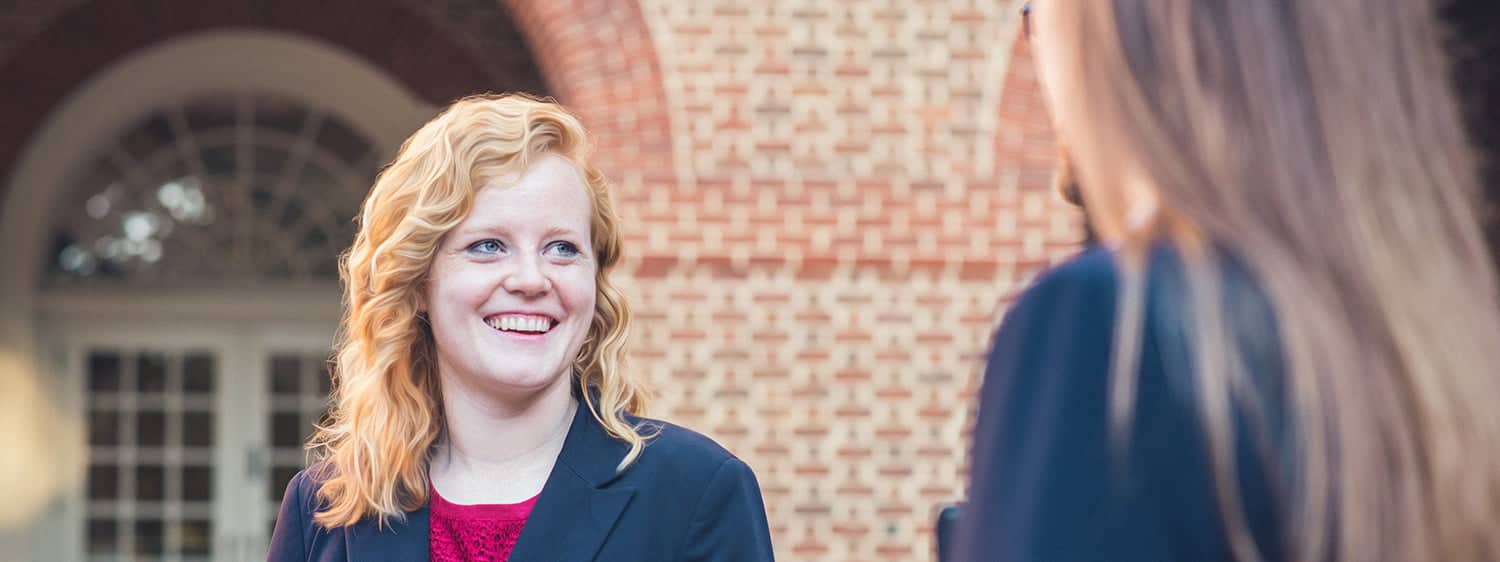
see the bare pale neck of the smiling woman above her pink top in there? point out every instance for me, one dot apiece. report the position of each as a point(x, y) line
point(500, 452)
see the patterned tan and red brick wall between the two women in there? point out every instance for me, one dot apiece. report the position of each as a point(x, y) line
point(857, 190)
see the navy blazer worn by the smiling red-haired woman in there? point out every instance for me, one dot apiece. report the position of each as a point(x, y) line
point(683, 500)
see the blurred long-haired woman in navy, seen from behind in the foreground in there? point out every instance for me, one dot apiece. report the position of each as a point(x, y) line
point(1285, 353)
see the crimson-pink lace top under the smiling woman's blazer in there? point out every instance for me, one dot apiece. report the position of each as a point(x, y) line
point(484, 533)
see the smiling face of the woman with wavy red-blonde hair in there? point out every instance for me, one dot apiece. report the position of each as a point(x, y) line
point(511, 293)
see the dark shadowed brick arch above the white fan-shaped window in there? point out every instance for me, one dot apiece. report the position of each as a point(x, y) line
point(436, 64)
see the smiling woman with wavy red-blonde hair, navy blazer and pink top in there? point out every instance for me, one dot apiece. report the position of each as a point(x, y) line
point(481, 402)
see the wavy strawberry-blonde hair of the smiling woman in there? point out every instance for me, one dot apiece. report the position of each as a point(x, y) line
point(388, 410)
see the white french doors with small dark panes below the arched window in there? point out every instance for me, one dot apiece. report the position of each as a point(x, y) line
point(194, 431)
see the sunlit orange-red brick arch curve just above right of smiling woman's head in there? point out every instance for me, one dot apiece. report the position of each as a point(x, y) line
point(599, 59)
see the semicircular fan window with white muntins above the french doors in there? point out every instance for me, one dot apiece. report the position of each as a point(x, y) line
point(221, 188)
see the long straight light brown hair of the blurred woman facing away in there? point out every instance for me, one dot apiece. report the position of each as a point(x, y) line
point(1318, 143)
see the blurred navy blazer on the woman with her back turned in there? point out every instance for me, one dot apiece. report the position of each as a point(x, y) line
point(1048, 480)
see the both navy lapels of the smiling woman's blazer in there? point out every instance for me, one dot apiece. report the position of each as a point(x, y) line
point(569, 524)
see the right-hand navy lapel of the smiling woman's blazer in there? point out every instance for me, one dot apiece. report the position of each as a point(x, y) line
point(578, 507)
